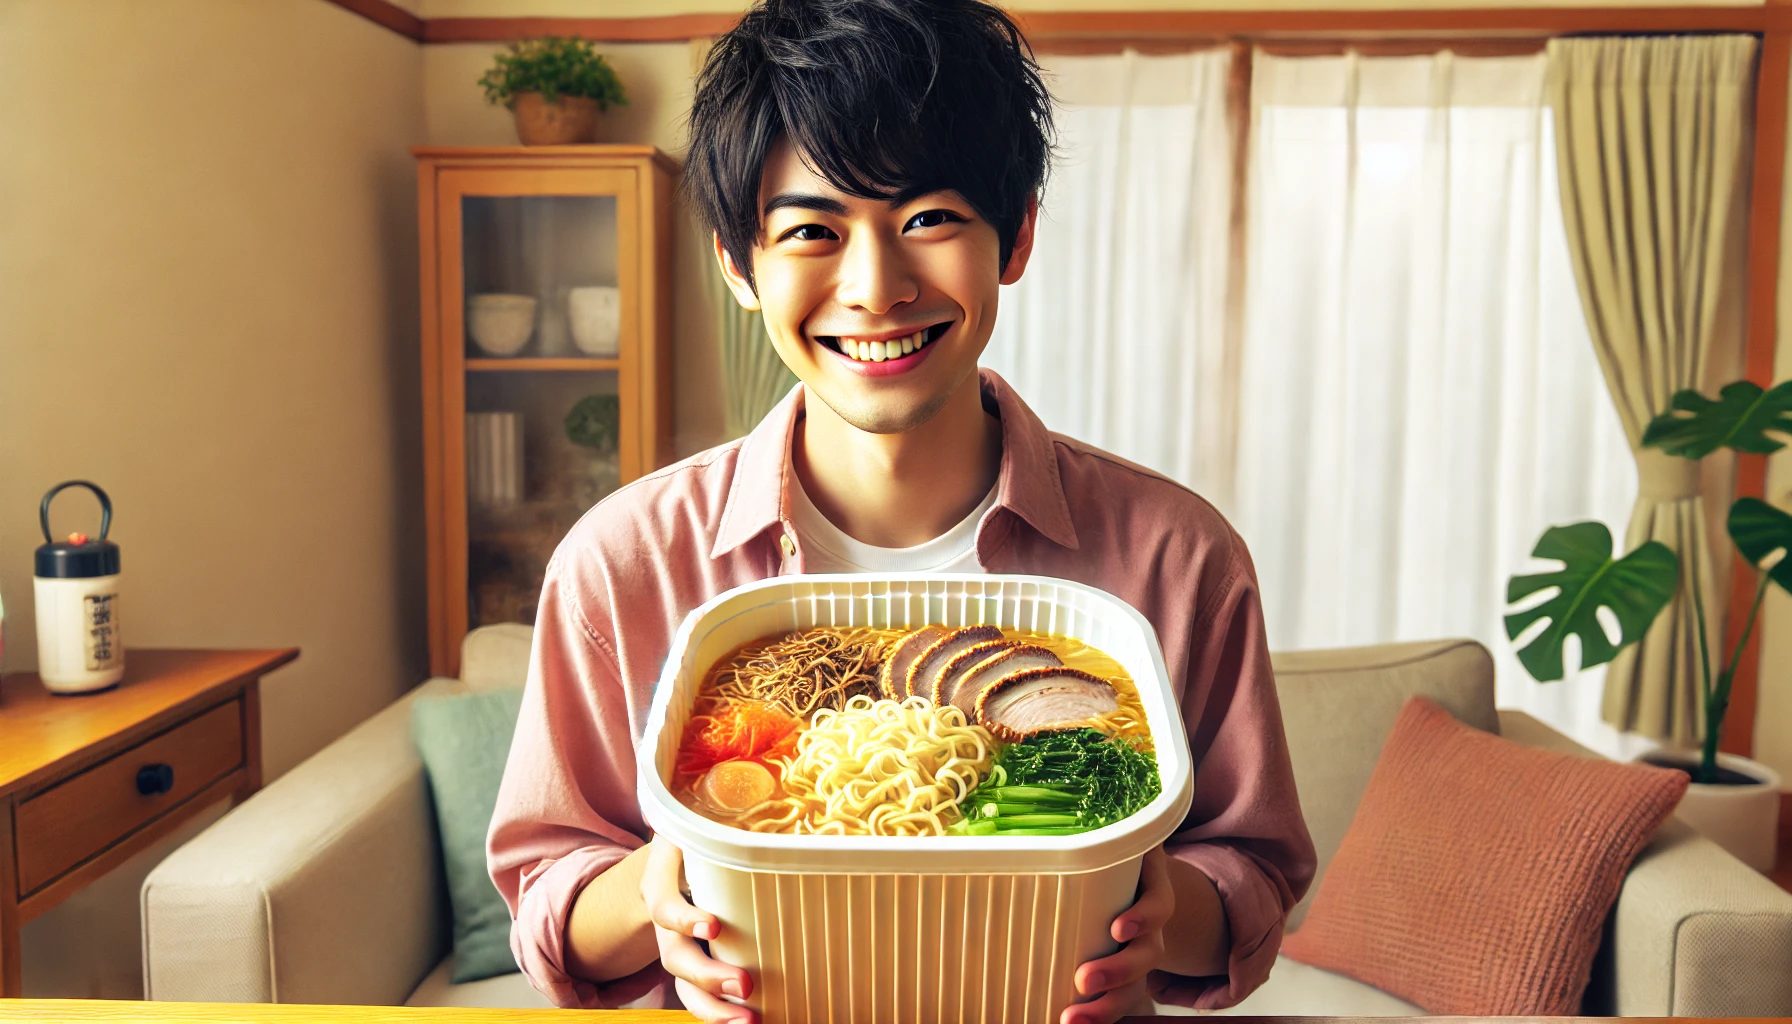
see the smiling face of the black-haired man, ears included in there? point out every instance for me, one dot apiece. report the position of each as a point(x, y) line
point(879, 309)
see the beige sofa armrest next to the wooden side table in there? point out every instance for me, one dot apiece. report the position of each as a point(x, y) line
point(325, 887)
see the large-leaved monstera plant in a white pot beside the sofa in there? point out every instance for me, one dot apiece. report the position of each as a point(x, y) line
point(1732, 799)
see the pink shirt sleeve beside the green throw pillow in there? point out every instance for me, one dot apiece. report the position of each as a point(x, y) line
point(569, 783)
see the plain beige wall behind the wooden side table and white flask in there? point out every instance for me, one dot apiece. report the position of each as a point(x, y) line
point(209, 306)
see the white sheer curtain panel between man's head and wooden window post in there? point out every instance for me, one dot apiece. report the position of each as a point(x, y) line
point(1117, 331)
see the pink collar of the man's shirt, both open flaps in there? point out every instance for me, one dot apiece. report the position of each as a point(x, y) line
point(1028, 483)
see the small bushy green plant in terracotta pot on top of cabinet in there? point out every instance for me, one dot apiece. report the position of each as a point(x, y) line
point(555, 87)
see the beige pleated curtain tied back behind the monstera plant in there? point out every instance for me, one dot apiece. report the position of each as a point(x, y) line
point(1653, 148)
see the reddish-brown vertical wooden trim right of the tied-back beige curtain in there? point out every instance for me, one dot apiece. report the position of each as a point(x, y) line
point(1762, 342)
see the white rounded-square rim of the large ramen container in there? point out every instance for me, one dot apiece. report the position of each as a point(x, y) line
point(951, 855)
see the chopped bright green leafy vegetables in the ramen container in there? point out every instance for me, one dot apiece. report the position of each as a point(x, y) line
point(1058, 785)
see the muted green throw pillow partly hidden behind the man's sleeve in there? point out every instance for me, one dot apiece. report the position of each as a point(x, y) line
point(465, 742)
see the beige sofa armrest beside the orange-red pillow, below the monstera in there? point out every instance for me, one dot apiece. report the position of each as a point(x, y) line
point(1696, 932)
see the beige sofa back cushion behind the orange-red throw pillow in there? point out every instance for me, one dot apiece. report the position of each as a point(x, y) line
point(1338, 709)
